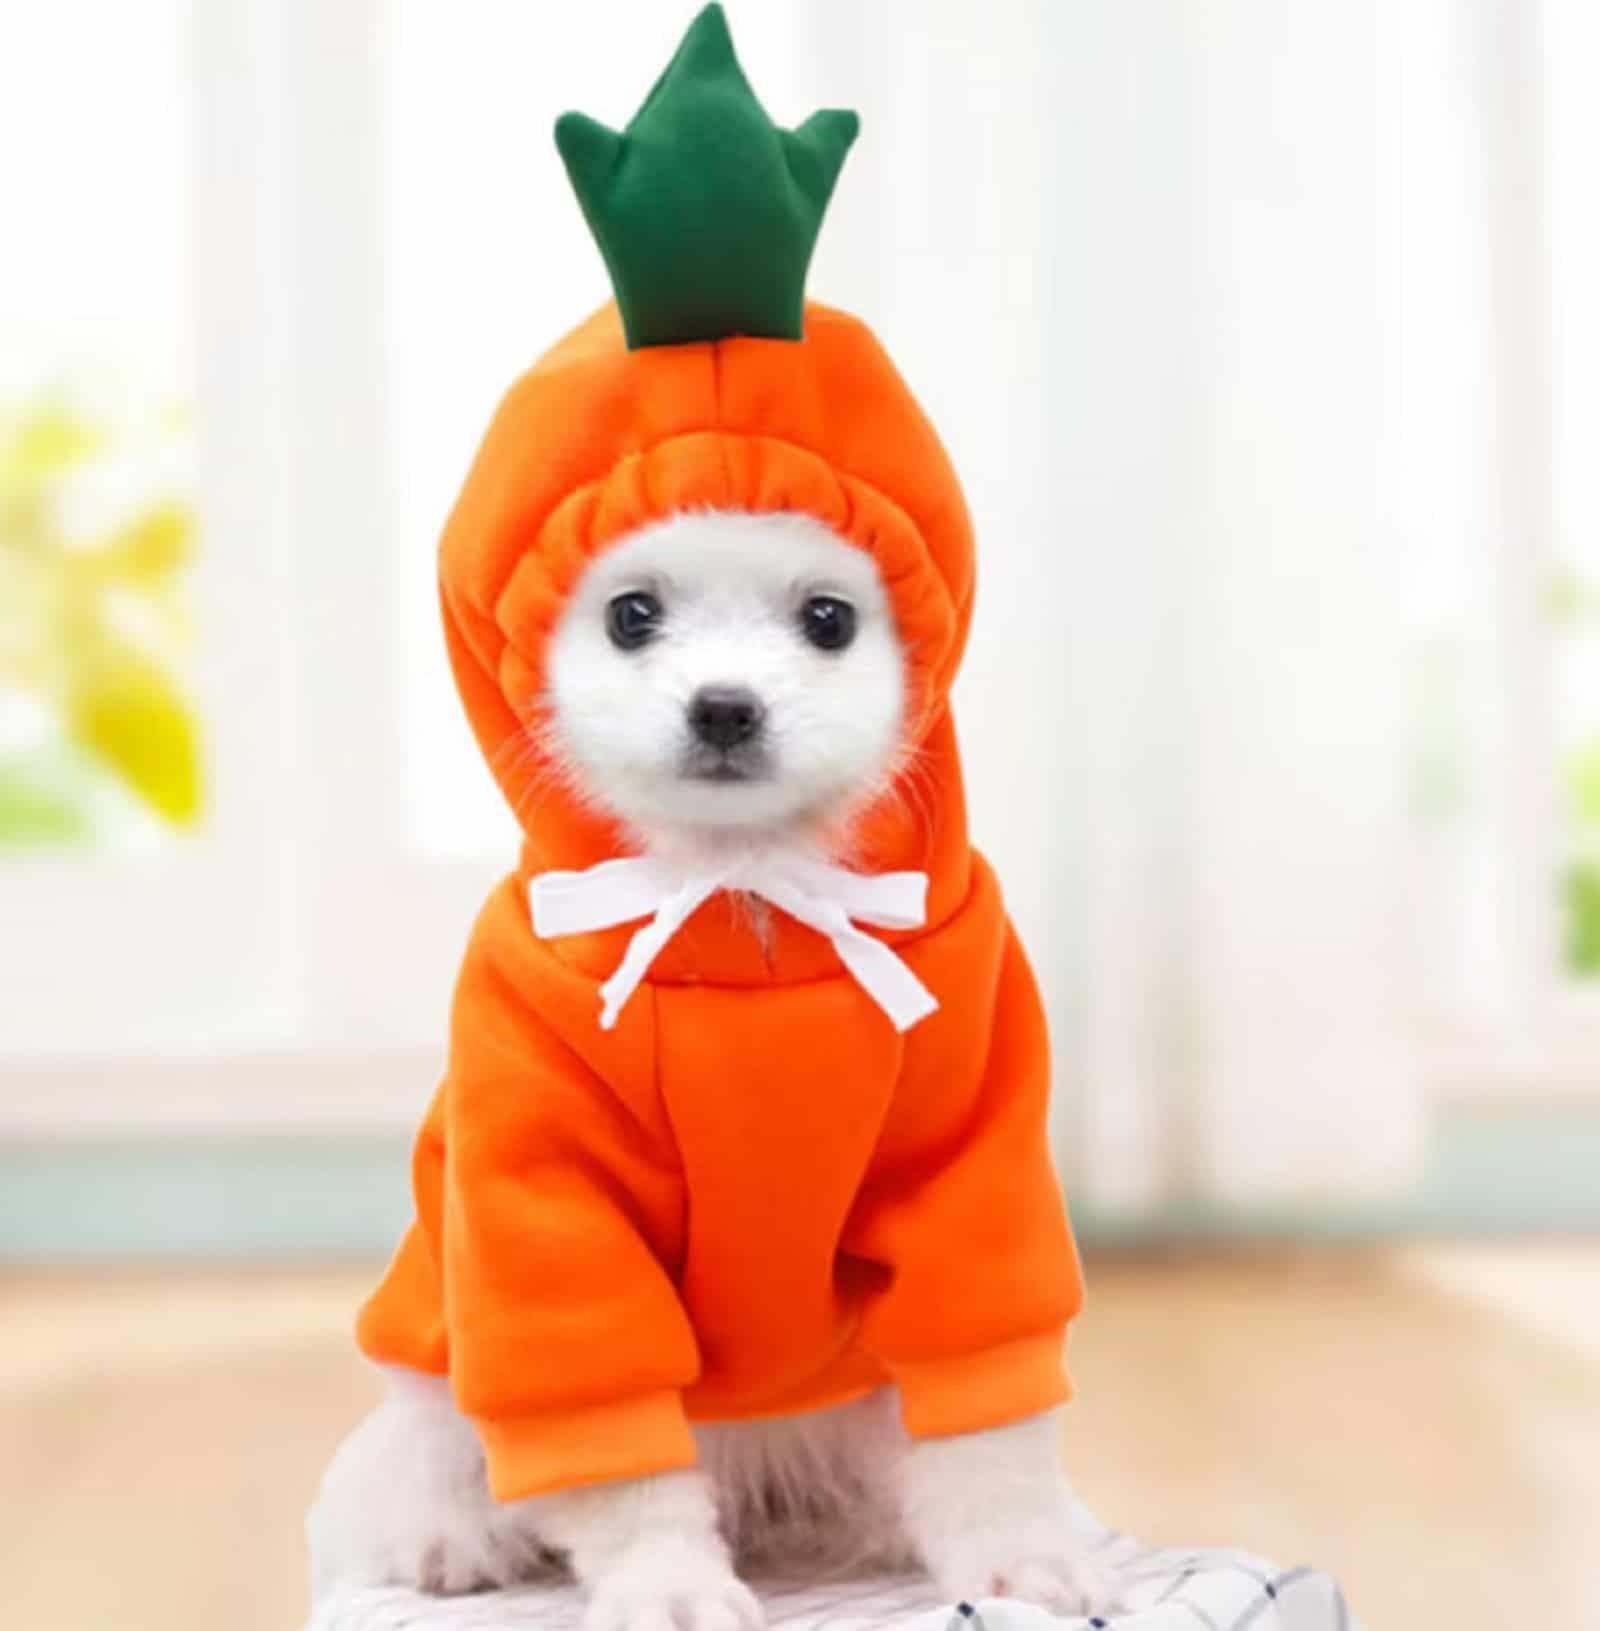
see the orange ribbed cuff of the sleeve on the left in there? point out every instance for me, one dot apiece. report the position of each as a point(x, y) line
point(534, 1456)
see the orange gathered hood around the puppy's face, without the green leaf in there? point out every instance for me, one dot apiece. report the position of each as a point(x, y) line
point(598, 441)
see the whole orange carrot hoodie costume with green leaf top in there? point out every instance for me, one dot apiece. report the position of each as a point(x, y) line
point(756, 1195)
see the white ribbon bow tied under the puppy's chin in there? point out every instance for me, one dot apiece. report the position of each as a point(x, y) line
point(824, 898)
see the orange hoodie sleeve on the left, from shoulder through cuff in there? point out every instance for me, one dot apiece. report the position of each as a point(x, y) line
point(568, 1343)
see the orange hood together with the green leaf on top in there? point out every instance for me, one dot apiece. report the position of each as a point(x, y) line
point(624, 423)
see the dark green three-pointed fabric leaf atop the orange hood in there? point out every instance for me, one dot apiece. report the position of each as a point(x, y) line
point(705, 211)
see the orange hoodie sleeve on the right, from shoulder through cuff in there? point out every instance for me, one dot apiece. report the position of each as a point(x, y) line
point(970, 1224)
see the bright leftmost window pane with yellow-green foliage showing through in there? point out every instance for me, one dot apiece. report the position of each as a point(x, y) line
point(100, 740)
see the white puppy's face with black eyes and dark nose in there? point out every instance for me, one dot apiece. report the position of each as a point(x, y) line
point(727, 674)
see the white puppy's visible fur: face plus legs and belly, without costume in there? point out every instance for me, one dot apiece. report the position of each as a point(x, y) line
point(718, 681)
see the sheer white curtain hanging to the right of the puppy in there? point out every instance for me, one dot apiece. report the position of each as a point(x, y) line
point(1139, 262)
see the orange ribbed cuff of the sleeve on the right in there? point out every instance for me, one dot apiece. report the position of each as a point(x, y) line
point(1007, 1384)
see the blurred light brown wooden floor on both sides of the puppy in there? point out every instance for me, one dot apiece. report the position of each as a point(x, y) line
point(1423, 1423)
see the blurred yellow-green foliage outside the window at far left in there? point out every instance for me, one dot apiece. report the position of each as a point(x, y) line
point(94, 629)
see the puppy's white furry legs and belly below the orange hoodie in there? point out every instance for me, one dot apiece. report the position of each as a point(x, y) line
point(407, 1503)
